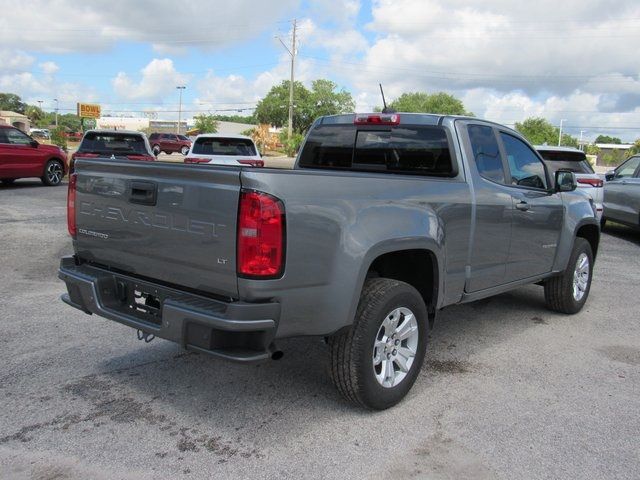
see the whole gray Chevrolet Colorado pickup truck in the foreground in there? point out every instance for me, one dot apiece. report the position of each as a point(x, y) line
point(385, 219)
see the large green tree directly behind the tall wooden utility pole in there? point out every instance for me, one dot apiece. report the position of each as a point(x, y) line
point(324, 98)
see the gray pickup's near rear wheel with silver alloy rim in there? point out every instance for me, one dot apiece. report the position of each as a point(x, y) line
point(376, 362)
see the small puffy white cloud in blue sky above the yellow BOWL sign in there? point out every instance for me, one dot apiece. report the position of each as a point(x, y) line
point(158, 79)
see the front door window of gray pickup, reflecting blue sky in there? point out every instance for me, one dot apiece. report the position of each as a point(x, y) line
point(527, 170)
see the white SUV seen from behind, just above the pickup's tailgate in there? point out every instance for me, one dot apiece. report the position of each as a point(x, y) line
point(218, 149)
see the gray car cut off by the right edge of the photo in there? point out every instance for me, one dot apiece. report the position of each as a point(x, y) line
point(622, 194)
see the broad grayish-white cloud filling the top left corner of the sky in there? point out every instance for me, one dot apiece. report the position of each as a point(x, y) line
point(62, 26)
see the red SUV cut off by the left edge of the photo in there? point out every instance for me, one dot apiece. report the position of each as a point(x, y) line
point(23, 157)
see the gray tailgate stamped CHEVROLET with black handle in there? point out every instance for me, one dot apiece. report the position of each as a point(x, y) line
point(160, 221)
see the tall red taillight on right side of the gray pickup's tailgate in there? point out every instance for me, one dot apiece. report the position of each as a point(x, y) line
point(261, 235)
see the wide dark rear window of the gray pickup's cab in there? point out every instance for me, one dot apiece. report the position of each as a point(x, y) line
point(417, 150)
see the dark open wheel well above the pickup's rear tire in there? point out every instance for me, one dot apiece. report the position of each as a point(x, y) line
point(418, 268)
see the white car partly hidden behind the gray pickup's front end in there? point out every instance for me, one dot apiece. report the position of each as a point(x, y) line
point(567, 158)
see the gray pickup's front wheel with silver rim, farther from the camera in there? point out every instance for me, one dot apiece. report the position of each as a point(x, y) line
point(568, 292)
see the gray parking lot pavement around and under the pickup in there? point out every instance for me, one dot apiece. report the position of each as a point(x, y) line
point(509, 390)
